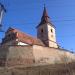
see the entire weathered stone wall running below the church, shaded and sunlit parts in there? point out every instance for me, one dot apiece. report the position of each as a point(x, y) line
point(28, 55)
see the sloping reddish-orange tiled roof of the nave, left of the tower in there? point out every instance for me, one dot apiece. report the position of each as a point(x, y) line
point(25, 38)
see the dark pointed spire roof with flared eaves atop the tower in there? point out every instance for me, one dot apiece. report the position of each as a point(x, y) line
point(45, 18)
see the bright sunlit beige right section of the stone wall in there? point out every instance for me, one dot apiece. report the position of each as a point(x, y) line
point(52, 55)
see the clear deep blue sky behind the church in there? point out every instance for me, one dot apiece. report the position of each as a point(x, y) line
point(25, 15)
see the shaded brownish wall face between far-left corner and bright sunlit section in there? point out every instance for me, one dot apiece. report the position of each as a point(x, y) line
point(20, 55)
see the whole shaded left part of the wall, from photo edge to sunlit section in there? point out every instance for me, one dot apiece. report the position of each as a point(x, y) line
point(16, 55)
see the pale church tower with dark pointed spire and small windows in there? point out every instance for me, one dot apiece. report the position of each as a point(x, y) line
point(46, 31)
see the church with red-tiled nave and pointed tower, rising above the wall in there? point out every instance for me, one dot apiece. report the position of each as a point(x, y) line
point(46, 35)
